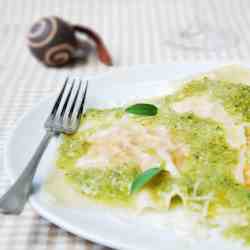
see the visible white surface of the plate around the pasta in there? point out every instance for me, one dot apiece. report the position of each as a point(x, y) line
point(96, 223)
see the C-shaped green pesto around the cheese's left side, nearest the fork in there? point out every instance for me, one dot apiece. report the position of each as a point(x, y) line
point(109, 185)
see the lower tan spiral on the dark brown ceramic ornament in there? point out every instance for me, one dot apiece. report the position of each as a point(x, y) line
point(59, 54)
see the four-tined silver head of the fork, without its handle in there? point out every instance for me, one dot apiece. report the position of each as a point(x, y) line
point(68, 108)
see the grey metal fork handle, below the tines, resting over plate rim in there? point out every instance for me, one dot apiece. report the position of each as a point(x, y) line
point(14, 200)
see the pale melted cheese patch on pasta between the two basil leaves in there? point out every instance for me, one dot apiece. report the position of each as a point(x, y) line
point(126, 141)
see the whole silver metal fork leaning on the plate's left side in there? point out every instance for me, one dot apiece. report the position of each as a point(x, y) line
point(64, 118)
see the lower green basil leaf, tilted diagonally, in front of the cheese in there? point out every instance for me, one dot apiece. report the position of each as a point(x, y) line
point(144, 178)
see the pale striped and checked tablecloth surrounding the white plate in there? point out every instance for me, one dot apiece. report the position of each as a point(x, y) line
point(136, 32)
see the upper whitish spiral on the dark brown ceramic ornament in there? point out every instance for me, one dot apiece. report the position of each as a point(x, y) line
point(42, 32)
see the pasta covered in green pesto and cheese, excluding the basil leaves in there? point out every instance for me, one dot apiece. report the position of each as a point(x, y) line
point(200, 136)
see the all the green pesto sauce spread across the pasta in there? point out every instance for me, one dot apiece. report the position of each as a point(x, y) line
point(211, 159)
